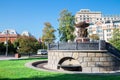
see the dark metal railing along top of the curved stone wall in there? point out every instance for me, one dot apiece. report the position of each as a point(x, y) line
point(100, 45)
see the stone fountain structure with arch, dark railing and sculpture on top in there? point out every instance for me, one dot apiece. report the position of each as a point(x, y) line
point(83, 56)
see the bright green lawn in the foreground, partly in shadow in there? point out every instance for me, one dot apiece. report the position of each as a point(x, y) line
point(16, 70)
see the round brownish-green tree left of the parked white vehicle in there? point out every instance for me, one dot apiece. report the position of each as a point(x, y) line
point(26, 44)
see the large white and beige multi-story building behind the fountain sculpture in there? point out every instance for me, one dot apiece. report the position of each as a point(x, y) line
point(101, 25)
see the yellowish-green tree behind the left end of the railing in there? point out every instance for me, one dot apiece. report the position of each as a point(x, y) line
point(48, 33)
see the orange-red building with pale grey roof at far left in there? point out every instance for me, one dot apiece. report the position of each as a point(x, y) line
point(8, 34)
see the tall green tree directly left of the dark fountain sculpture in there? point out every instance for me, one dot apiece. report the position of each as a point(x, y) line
point(66, 26)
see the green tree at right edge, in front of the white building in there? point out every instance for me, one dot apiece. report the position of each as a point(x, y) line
point(115, 40)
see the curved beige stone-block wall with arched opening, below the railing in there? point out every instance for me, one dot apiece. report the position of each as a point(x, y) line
point(90, 61)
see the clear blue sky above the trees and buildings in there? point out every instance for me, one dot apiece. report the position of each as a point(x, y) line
point(30, 15)
